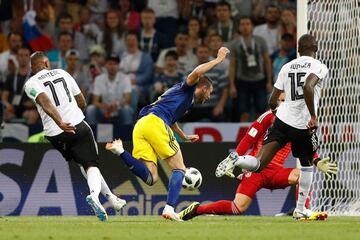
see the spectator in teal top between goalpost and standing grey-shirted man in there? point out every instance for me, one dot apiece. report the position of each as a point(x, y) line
point(285, 54)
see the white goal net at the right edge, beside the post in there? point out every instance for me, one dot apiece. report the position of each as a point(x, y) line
point(336, 26)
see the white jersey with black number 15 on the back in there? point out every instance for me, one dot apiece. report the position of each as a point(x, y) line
point(291, 80)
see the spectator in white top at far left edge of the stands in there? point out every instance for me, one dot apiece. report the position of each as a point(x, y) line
point(8, 60)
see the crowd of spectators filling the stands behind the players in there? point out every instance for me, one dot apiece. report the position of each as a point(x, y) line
point(124, 54)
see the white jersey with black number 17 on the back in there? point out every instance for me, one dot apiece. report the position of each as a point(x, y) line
point(60, 87)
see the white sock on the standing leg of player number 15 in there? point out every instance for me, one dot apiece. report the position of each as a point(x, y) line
point(305, 181)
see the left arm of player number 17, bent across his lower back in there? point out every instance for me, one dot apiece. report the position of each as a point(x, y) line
point(50, 110)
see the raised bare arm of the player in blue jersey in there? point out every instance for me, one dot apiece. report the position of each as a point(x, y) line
point(193, 77)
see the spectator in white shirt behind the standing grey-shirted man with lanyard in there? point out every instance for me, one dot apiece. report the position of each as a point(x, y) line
point(271, 30)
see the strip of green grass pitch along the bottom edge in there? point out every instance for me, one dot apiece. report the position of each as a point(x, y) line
point(152, 227)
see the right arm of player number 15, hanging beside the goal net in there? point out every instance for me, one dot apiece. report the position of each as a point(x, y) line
point(310, 83)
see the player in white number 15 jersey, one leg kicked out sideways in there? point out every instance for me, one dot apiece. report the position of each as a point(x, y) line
point(296, 120)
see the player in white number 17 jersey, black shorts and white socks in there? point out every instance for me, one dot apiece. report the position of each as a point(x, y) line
point(60, 104)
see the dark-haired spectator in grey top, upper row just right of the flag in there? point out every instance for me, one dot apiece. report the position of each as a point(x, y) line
point(65, 24)
